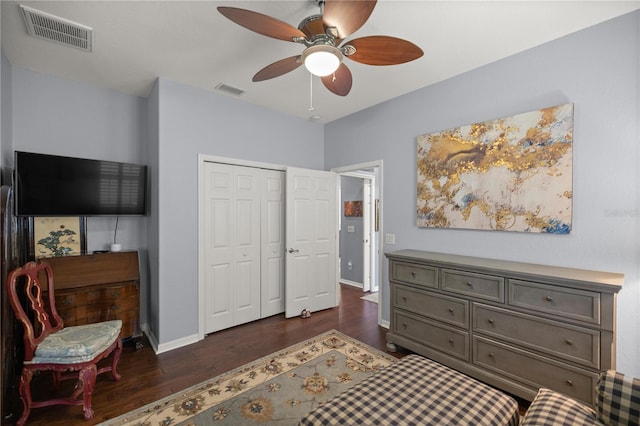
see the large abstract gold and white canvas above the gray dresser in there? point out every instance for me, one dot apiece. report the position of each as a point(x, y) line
point(509, 174)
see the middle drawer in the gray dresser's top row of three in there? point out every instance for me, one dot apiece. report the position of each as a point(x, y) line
point(475, 285)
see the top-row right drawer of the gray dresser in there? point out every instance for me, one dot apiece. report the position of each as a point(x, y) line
point(561, 301)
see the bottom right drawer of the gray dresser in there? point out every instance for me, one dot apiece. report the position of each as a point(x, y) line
point(534, 370)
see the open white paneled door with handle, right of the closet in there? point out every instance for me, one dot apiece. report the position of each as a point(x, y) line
point(311, 241)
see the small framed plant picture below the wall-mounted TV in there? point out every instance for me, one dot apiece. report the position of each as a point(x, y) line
point(58, 236)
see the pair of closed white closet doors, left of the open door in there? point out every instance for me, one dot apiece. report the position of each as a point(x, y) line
point(243, 250)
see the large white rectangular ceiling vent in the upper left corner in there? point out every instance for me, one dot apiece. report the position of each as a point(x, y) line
point(43, 25)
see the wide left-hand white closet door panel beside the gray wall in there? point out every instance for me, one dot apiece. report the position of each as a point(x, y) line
point(232, 245)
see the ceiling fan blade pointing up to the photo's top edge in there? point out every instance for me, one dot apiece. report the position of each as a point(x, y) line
point(347, 15)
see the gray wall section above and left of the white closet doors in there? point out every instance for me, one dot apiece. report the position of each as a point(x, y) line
point(192, 122)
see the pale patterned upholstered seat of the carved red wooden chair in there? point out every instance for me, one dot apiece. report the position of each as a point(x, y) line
point(77, 344)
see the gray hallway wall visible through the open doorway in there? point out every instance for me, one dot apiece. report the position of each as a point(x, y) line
point(351, 242)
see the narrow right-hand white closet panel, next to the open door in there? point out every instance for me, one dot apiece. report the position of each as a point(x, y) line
point(272, 242)
